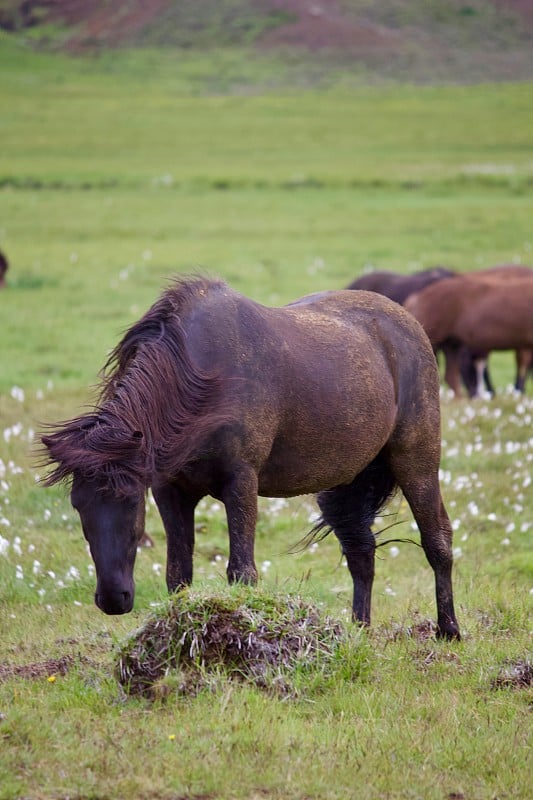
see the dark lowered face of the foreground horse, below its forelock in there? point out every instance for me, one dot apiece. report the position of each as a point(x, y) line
point(113, 526)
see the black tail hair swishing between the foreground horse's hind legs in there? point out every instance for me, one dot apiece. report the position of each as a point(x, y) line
point(350, 510)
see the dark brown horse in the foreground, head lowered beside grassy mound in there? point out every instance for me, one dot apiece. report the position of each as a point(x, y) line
point(213, 394)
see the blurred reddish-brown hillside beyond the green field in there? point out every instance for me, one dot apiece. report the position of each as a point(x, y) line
point(422, 41)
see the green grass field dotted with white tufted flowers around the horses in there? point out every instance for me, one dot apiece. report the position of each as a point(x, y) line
point(117, 173)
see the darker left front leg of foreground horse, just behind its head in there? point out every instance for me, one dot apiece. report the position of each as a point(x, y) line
point(177, 512)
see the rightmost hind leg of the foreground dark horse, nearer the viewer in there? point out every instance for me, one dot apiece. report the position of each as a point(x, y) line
point(422, 492)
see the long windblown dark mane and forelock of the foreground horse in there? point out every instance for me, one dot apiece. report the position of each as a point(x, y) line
point(154, 409)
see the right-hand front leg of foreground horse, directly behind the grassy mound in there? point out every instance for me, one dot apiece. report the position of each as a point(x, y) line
point(239, 496)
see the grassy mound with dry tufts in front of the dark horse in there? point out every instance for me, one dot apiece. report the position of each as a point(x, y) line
point(281, 644)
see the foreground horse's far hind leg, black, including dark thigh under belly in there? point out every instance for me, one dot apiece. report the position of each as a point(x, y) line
point(350, 511)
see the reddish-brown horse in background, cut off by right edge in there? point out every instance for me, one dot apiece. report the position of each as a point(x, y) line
point(484, 311)
